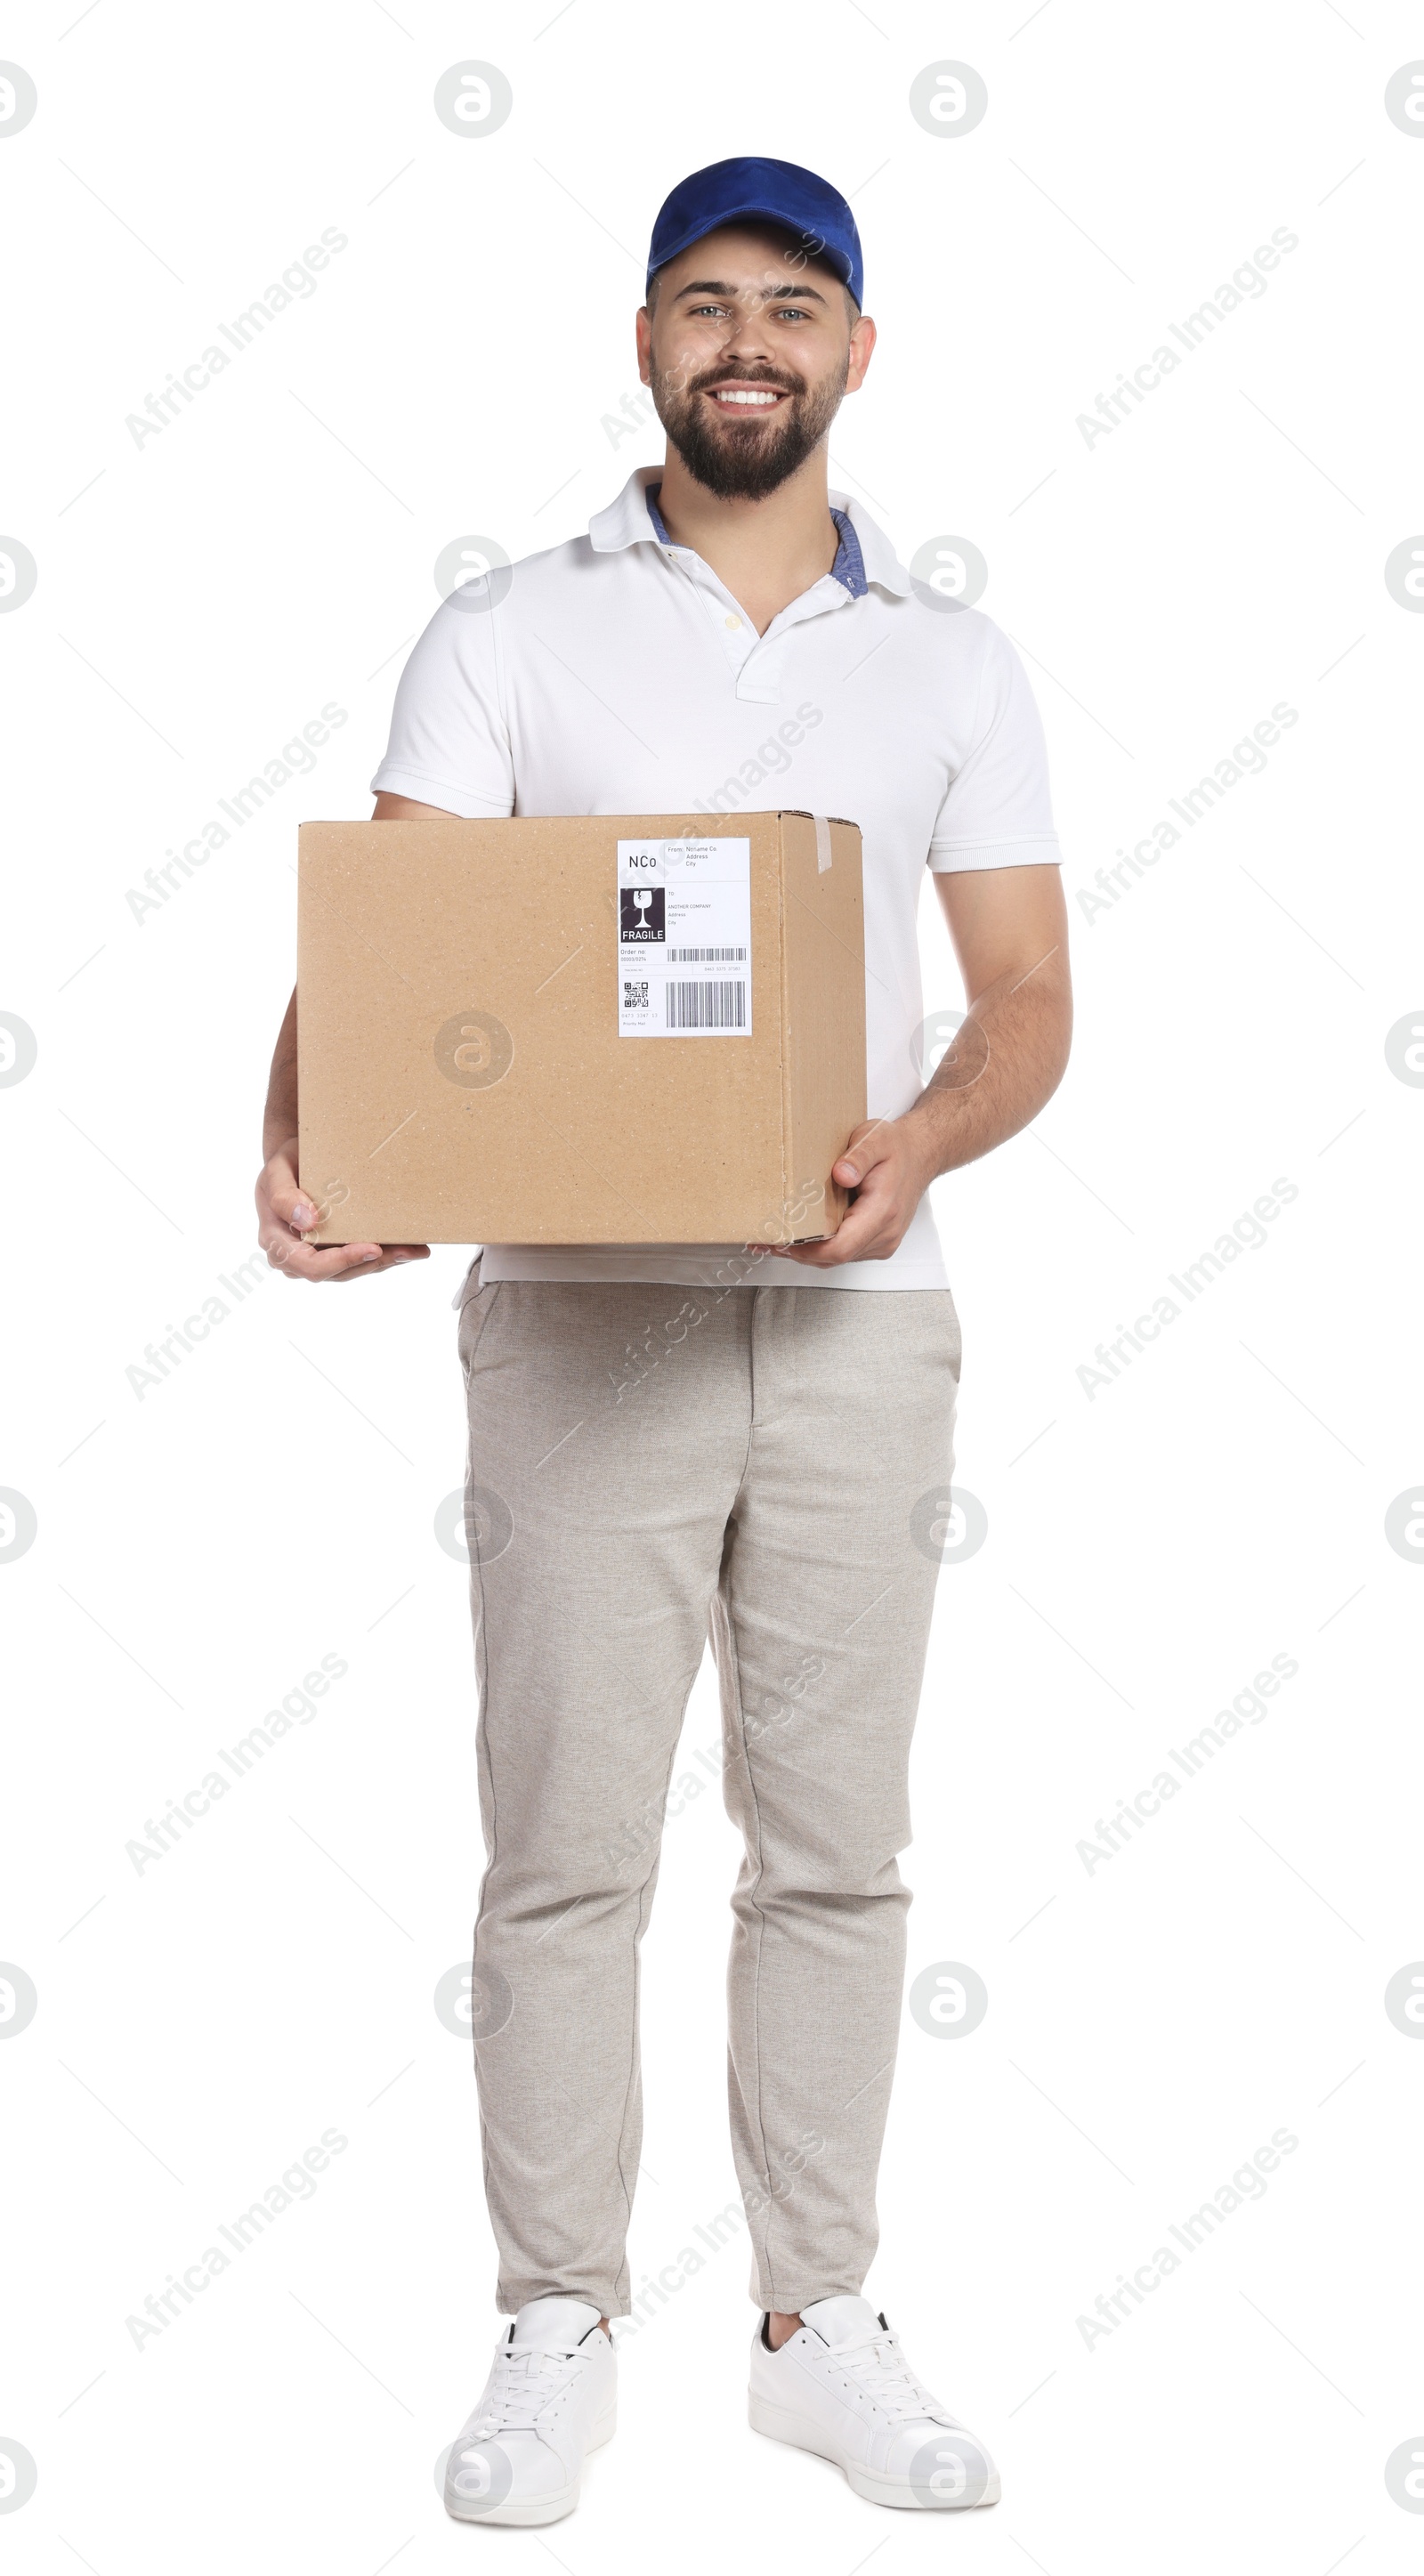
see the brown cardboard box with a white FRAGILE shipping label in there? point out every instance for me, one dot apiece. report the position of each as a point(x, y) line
point(581, 1029)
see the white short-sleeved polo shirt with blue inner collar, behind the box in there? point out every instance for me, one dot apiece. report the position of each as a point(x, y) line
point(619, 676)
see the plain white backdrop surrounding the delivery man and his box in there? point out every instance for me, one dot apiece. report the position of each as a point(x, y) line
point(272, 1501)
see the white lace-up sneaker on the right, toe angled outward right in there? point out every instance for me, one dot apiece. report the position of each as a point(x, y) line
point(846, 2389)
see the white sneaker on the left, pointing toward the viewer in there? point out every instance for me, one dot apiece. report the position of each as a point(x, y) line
point(552, 2397)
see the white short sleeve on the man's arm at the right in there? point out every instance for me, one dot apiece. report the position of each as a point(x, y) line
point(998, 810)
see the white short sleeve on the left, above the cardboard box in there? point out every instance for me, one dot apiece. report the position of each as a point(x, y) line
point(449, 738)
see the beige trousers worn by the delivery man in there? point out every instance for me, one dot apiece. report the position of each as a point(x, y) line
point(645, 1462)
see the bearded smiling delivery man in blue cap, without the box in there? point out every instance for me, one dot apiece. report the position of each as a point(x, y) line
point(722, 1434)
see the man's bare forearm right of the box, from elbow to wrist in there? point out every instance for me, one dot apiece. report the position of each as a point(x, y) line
point(1006, 1063)
